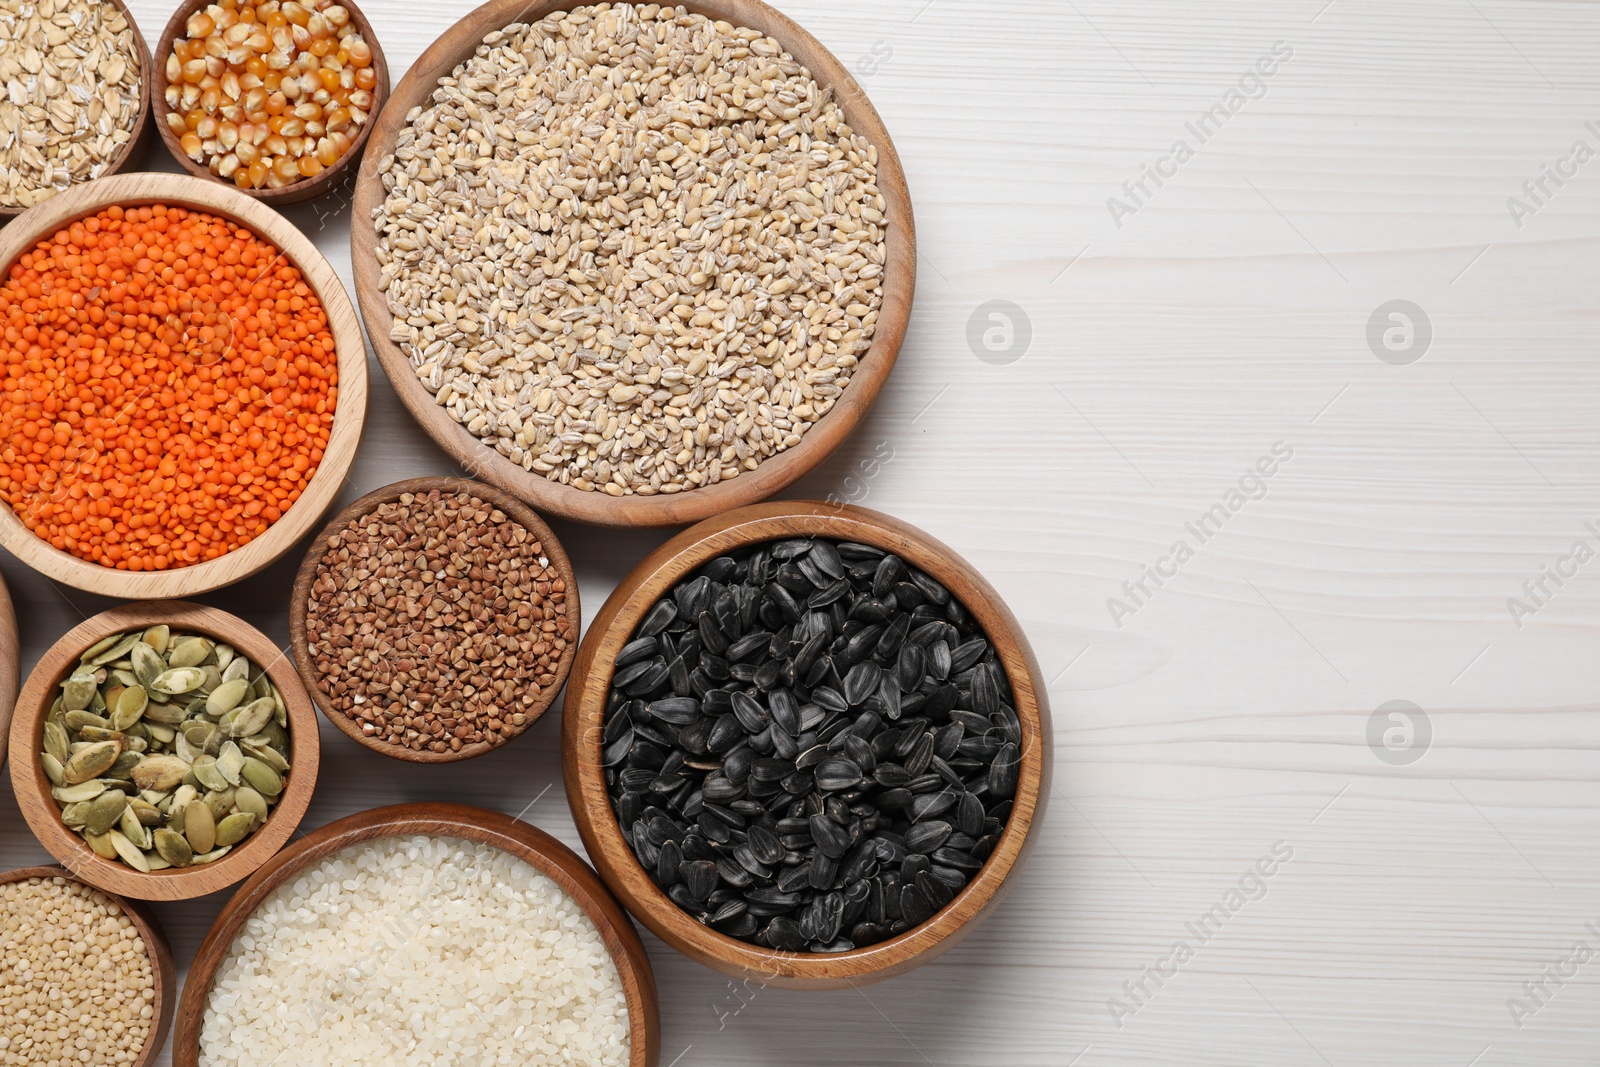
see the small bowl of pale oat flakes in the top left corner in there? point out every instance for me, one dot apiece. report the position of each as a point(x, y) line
point(74, 97)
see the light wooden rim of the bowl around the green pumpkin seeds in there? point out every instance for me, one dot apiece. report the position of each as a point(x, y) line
point(44, 815)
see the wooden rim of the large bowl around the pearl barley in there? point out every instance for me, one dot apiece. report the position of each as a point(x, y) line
point(775, 474)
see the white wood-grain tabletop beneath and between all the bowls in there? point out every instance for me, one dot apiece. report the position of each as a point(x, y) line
point(1426, 865)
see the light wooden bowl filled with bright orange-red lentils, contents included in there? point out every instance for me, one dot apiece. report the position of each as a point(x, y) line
point(183, 386)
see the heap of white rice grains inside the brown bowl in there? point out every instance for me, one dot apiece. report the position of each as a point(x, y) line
point(417, 951)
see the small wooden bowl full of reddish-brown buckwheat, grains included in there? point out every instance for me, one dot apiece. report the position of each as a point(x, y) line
point(434, 620)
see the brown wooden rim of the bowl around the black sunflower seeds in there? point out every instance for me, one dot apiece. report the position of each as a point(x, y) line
point(591, 805)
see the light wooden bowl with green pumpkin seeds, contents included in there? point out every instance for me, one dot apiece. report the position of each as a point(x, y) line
point(164, 751)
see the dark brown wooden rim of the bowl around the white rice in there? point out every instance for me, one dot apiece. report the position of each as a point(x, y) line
point(436, 820)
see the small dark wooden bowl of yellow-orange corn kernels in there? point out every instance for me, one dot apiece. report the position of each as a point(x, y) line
point(273, 97)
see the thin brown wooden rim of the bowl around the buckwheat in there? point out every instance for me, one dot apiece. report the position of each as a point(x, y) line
point(300, 607)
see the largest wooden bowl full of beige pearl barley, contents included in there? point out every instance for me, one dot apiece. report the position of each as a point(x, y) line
point(636, 265)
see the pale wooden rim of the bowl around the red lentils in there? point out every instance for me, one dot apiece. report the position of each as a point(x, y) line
point(343, 439)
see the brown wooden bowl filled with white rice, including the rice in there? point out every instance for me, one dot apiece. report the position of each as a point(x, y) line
point(414, 937)
